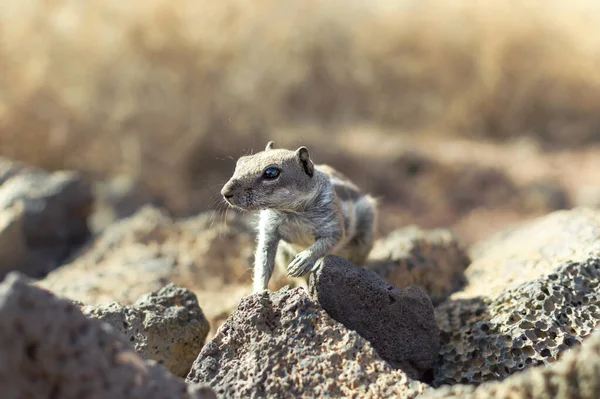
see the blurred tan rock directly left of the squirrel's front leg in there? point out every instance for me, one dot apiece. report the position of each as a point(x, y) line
point(207, 254)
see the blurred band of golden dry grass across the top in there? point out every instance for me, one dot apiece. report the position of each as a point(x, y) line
point(162, 88)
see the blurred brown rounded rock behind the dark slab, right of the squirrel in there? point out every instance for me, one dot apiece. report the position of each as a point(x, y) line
point(432, 260)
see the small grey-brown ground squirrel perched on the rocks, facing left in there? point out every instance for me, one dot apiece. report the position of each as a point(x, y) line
point(307, 211)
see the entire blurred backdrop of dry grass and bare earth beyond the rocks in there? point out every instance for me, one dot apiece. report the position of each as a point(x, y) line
point(465, 114)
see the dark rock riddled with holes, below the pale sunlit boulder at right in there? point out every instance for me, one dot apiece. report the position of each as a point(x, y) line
point(527, 325)
